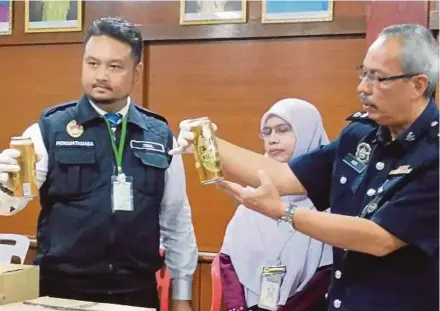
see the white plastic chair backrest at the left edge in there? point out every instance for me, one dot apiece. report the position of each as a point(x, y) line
point(13, 245)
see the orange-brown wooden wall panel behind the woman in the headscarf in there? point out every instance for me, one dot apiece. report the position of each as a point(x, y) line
point(234, 82)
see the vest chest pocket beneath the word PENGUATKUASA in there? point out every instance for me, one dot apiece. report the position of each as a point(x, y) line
point(76, 171)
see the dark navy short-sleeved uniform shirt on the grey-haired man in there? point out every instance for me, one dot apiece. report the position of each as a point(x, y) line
point(395, 184)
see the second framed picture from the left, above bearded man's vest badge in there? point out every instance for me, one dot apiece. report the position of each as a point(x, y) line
point(53, 15)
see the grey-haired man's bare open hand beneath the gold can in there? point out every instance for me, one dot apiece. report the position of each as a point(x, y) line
point(265, 199)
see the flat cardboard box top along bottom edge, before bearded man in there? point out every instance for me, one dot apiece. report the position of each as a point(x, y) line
point(50, 303)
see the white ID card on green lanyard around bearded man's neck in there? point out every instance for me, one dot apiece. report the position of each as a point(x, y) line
point(122, 186)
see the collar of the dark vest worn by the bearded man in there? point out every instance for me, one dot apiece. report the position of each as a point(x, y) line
point(88, 111)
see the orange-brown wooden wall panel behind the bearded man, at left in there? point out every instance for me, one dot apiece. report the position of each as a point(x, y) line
point(35, 77)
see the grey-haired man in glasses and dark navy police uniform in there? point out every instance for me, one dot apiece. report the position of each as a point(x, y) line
point(380, 177)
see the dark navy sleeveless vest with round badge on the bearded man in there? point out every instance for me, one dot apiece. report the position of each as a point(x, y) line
point(80, 239)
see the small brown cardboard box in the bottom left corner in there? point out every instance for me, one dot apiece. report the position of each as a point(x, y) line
point(18, 283)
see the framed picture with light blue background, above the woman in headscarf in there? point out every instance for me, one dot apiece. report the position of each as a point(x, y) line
point(296, 11)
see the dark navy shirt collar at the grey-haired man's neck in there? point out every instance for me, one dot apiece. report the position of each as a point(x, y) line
point(415, 131)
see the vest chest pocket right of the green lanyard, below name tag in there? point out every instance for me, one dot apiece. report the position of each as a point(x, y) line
point(152, 175)
